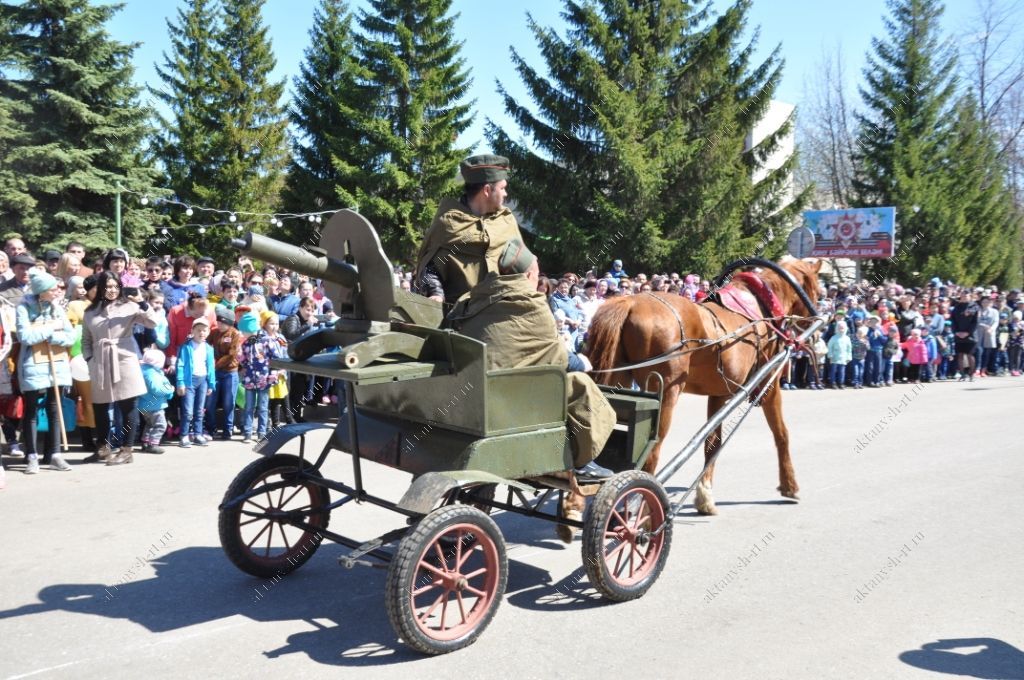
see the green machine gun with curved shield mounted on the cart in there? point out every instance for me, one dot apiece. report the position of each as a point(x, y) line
point(358, 278)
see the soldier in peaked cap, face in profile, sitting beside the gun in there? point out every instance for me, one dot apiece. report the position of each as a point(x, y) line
point(467, 236)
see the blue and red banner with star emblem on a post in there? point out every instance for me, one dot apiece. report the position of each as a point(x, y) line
point(854, 233)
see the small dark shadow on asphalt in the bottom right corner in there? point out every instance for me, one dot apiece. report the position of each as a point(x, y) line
point(995, 660)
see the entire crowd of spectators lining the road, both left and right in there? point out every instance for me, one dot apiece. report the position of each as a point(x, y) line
point(178, 351)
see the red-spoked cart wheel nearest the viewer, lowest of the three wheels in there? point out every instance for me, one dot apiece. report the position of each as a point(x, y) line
point(447, 580)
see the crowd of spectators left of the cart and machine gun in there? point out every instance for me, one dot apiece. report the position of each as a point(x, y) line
point(155, 352)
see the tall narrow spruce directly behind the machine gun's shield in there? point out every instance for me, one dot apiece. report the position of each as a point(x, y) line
point(417, 82)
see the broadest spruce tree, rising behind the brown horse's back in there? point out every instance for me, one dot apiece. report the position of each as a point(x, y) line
point(641, 136)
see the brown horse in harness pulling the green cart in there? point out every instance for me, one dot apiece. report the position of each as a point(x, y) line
point(632, 329)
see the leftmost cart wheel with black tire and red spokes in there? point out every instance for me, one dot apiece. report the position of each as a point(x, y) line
point(257, 536)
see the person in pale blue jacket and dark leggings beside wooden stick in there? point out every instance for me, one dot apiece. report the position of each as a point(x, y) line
point(45, 363)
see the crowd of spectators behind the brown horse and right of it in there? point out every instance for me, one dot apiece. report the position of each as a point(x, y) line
point(879, 334)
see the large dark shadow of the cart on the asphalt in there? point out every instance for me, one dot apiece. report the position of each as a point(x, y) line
point(198, 585)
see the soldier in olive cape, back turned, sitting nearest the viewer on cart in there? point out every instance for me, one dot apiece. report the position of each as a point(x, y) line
point(506, 312)
